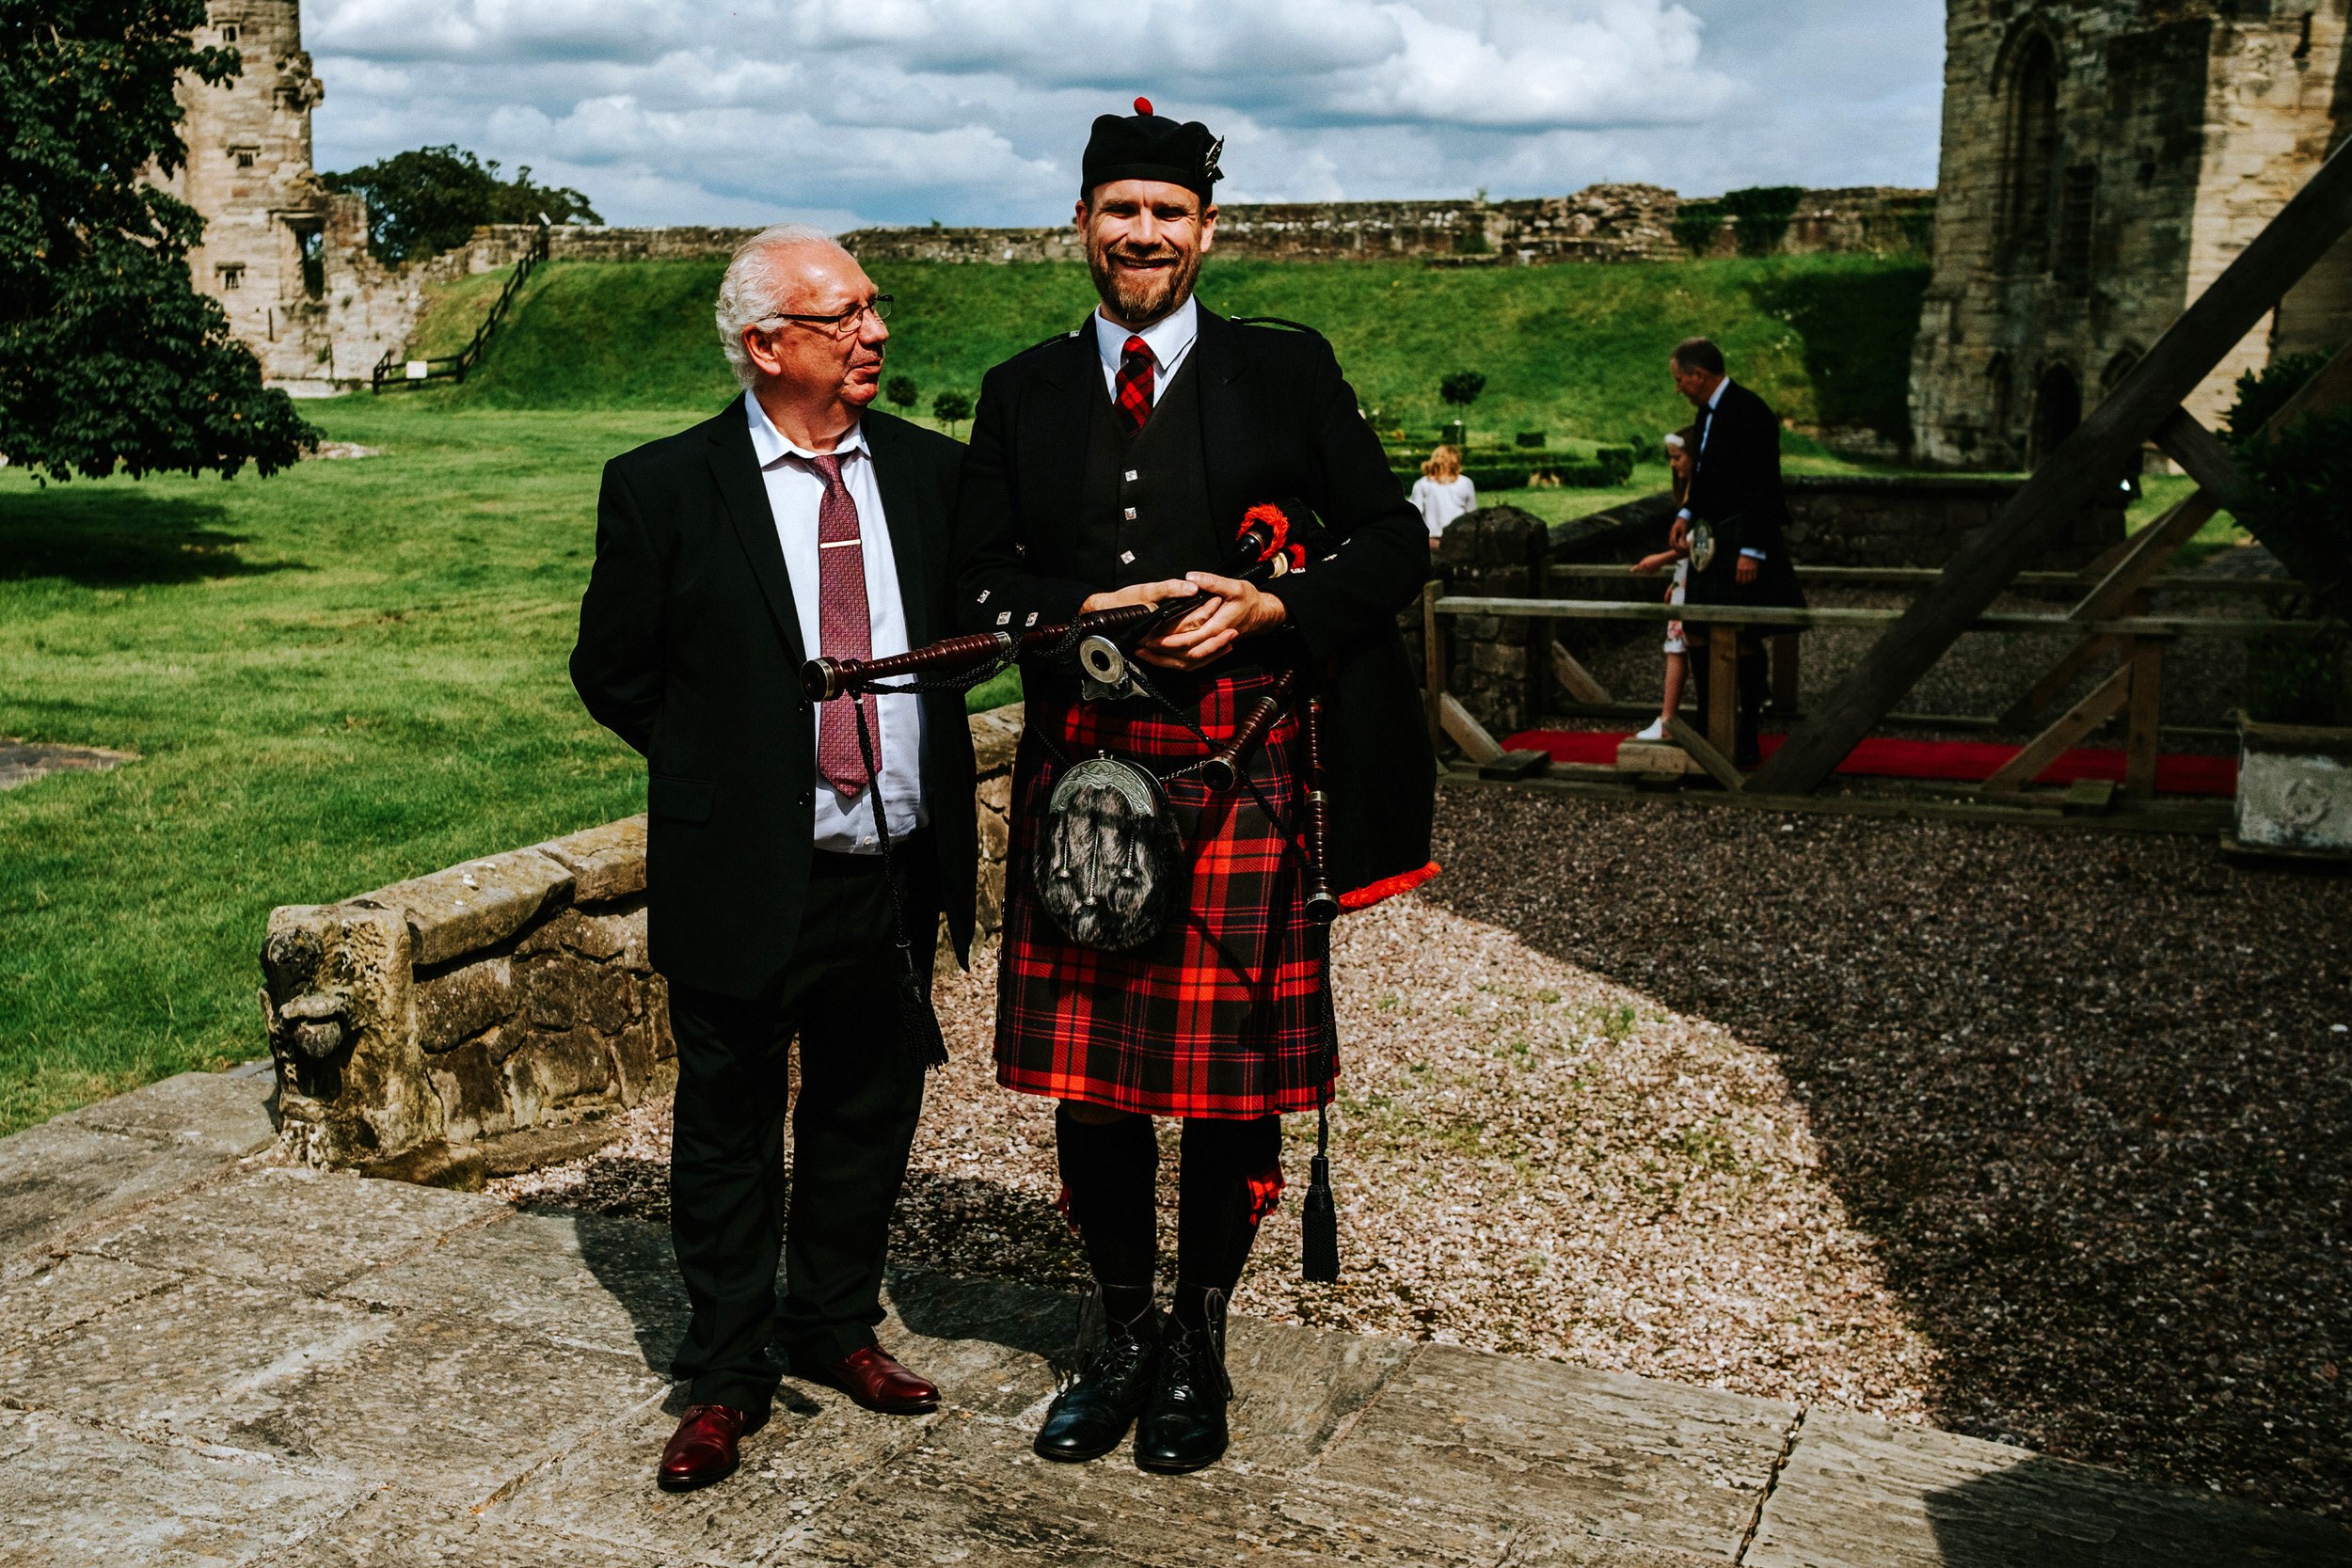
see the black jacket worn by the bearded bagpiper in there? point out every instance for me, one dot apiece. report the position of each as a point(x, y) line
point(1278, 424)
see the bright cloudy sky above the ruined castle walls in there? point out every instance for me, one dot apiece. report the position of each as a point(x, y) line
point(975, 112)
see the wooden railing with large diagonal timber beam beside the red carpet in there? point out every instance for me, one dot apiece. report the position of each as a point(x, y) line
point(2109, 622)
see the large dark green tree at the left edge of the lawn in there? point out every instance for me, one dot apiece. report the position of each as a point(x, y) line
point(109, 359)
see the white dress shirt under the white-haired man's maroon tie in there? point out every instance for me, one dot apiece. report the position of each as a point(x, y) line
point(794, 495)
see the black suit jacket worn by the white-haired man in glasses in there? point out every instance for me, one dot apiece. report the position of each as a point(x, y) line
point(690, 652)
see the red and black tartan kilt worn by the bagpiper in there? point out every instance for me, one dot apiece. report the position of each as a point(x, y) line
point(1224, 1012)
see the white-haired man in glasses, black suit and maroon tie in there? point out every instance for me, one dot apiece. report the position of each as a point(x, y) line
point(794, 523)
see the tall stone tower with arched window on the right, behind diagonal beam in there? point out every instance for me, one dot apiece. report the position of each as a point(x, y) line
point(2102, 163)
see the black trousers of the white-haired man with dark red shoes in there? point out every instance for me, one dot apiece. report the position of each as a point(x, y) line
point(853, 1130)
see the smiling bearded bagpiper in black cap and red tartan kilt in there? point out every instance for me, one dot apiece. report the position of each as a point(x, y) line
point(1114, 467)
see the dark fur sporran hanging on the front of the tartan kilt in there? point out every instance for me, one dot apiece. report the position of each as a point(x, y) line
point(1109, 855)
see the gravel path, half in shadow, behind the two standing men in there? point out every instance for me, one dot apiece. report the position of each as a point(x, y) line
point(2026, 1134)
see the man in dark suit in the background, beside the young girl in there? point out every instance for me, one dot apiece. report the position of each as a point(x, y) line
point(1737, 497)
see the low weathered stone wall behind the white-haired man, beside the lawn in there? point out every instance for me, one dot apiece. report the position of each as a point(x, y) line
point(448, 1021)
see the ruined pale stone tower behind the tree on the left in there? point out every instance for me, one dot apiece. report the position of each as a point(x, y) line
point(283, 255)
